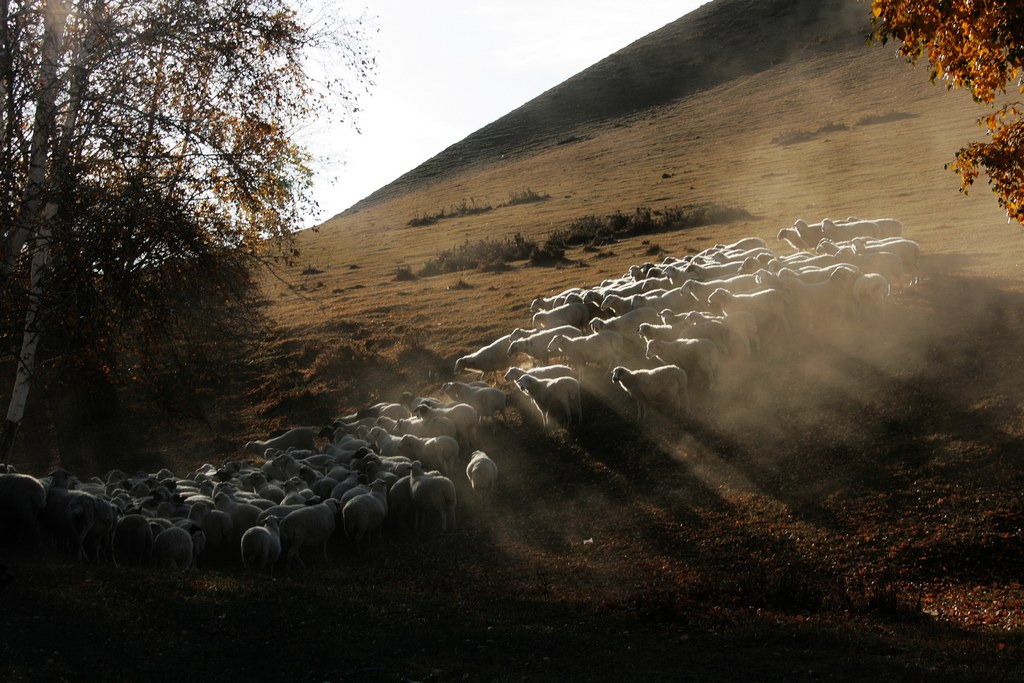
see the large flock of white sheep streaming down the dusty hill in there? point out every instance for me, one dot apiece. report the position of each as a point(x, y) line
point(659, 333)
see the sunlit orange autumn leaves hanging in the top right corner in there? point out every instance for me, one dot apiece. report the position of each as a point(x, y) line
point(977, 46)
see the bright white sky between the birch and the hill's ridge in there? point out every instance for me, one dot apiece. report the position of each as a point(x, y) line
point(448, 68)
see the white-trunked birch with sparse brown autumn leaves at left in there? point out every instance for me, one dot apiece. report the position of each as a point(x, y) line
point(150, 148)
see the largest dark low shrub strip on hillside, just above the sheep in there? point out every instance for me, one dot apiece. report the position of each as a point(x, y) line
point(598, 231)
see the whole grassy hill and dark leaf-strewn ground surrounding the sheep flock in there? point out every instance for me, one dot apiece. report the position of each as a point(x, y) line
point(848, 510)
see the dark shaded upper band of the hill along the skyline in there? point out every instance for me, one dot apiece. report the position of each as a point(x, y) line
point(714, 45)
